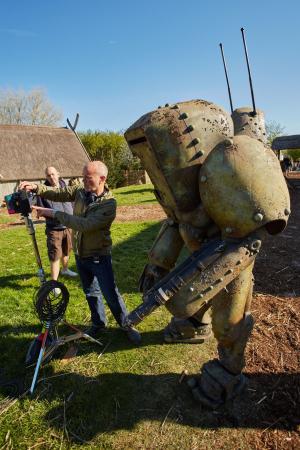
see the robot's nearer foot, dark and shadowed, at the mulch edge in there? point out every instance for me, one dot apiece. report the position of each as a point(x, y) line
point(216, 386)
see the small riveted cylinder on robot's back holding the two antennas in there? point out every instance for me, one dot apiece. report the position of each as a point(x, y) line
point(249, 124)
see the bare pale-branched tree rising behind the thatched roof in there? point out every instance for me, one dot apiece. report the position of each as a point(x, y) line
point(27, 108)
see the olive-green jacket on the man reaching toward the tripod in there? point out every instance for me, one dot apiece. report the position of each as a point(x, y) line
point(91, 223)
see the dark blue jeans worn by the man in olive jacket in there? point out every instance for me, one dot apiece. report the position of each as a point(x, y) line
point(97, 279)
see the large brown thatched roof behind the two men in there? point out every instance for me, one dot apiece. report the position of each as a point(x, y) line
point(25, 152)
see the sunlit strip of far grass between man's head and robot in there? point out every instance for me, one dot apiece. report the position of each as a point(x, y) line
point(134, 195)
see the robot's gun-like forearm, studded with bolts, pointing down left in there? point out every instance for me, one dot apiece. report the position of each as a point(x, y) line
point(200, 277)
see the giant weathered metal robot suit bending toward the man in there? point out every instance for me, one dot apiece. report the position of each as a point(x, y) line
point(223, 192)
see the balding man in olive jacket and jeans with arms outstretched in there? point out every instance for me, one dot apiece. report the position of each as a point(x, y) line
point(94, 212)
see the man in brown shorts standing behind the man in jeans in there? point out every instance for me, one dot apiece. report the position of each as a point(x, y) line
point(59, 239)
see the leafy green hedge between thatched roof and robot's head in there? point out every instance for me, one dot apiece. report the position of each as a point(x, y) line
point(111, 148)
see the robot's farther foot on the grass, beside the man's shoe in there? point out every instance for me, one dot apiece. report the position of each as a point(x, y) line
point(182, 330)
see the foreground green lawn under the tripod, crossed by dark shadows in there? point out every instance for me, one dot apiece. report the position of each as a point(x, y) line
point(124, 398)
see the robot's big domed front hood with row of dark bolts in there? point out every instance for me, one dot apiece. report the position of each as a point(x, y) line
point(172, 143)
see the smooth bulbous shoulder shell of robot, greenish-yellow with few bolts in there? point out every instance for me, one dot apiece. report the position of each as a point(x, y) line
point(242, 188)
